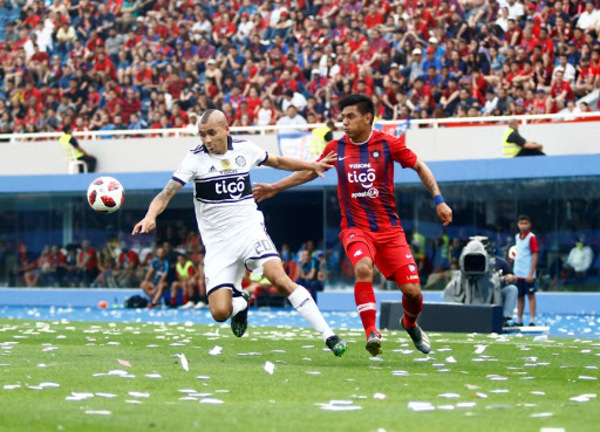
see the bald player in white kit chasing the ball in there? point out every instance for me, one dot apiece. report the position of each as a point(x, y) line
point(232, 227)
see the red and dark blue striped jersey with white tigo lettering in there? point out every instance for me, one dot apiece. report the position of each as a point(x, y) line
point(366, 179)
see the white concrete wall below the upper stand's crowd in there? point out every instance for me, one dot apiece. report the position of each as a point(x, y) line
point(135, 155)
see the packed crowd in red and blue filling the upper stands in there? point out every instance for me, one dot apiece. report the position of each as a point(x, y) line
point(129, 64)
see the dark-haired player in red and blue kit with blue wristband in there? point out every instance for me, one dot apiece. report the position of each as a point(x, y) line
point(371, 230)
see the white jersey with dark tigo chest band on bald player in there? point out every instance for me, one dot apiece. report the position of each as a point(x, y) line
point(223, 198)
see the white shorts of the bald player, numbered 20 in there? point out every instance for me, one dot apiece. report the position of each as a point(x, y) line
point(226, 262)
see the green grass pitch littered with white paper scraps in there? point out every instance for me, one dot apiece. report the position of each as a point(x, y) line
point(287, 400)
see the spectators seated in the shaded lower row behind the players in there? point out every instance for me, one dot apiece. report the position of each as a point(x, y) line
point(125, 263)
